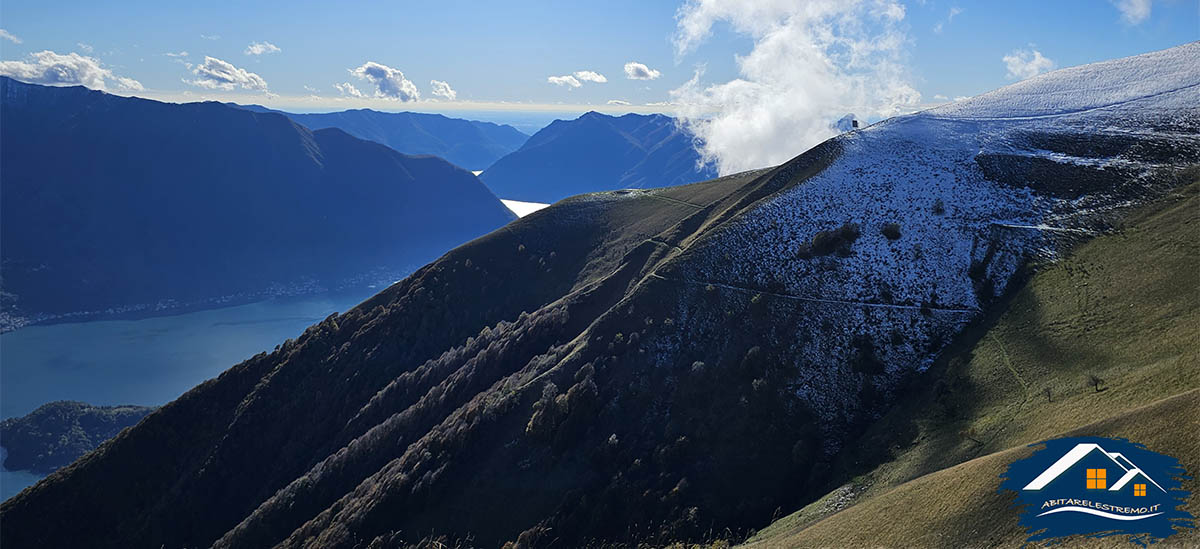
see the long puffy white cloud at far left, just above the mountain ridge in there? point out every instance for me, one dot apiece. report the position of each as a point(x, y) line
point(65, 70)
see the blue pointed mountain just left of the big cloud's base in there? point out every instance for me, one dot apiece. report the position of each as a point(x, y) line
point(598, 153)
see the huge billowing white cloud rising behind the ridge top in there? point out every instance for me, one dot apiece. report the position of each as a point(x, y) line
point(812, 63)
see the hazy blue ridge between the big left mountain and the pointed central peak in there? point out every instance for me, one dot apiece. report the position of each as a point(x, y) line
point(469, 144)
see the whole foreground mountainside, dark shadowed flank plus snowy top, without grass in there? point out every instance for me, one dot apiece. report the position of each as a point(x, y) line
point(662, 365)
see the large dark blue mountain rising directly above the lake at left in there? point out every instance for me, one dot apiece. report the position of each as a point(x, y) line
point(117, 204)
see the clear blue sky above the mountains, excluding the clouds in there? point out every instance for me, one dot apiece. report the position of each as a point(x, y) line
point(500, 56)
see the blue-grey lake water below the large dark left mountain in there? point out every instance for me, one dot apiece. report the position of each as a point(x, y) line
point(148, 361)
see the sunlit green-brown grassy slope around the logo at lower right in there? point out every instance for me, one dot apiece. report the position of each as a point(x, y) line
point(1124, 307)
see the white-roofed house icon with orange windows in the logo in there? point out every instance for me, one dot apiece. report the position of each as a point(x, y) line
point(1096, 463)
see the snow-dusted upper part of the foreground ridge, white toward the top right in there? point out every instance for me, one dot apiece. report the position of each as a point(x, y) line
point(949, 204)
